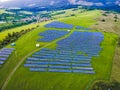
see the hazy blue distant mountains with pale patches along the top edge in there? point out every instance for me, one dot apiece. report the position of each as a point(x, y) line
point(58, 3)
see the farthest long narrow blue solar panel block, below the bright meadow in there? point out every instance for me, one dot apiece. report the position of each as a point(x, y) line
point(56, 24)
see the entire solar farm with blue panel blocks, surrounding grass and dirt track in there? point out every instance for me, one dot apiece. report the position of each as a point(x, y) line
point(71, 56)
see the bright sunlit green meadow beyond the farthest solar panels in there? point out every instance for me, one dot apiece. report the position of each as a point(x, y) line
point(84, 19)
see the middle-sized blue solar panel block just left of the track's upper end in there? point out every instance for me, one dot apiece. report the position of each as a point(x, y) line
point(51, 35)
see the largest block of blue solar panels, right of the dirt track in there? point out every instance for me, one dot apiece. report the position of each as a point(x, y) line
point(73, 54)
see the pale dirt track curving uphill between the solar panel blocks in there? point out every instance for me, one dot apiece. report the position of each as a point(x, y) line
point(22, 59)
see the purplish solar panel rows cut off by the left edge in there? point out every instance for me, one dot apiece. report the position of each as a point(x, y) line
point(4, 54)
